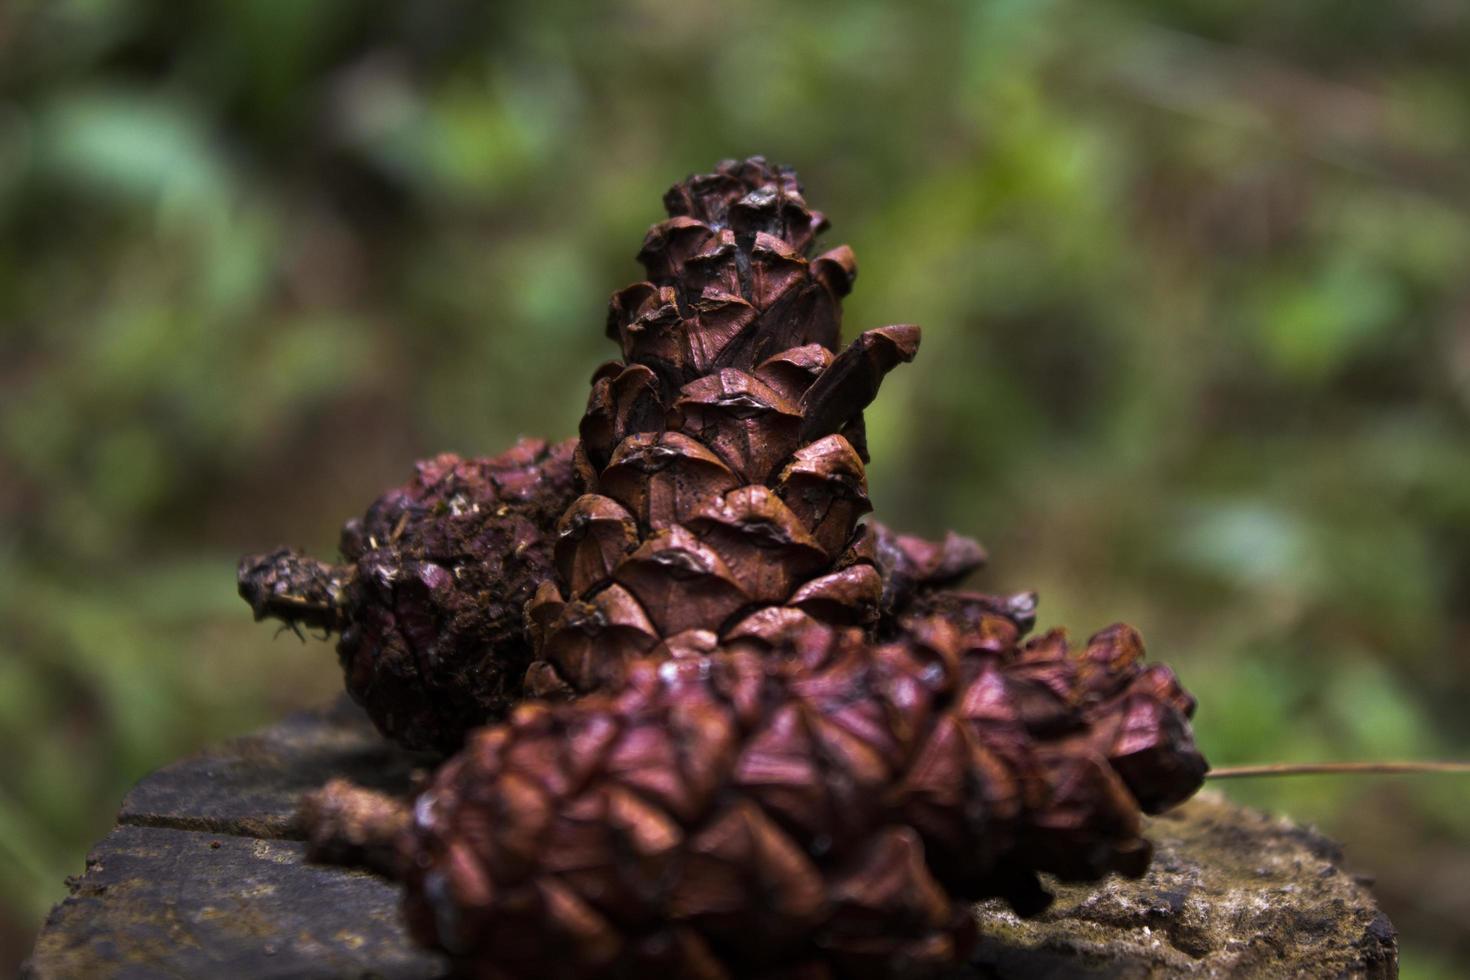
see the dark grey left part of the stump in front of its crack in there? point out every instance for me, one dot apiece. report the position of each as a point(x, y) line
point(162, 903)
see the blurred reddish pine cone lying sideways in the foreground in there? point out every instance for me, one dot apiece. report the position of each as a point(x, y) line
point(797, 800)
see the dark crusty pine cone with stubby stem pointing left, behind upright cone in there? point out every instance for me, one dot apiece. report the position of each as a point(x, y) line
point(430, 599)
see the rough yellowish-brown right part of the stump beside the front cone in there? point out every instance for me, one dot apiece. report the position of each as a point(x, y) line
point(1231, 893)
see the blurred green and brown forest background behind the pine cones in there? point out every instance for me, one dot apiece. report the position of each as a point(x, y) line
point(1191, 275)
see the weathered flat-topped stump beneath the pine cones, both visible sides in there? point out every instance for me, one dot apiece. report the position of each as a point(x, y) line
point(205, 878)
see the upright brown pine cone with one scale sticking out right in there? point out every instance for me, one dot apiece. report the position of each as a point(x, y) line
point(724, 455)
